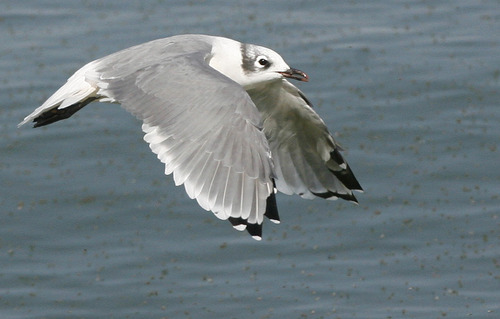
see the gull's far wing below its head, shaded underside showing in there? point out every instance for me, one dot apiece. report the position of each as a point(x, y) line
point(306, 158)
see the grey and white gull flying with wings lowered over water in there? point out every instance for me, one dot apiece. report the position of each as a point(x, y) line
point(223, 118)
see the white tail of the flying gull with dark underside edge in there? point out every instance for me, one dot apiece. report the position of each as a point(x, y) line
point(80, 89)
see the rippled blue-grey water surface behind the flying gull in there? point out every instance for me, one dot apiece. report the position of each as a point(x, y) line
point(91, 228)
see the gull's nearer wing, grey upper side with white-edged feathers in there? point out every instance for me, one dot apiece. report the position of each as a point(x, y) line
point(201, 124)
